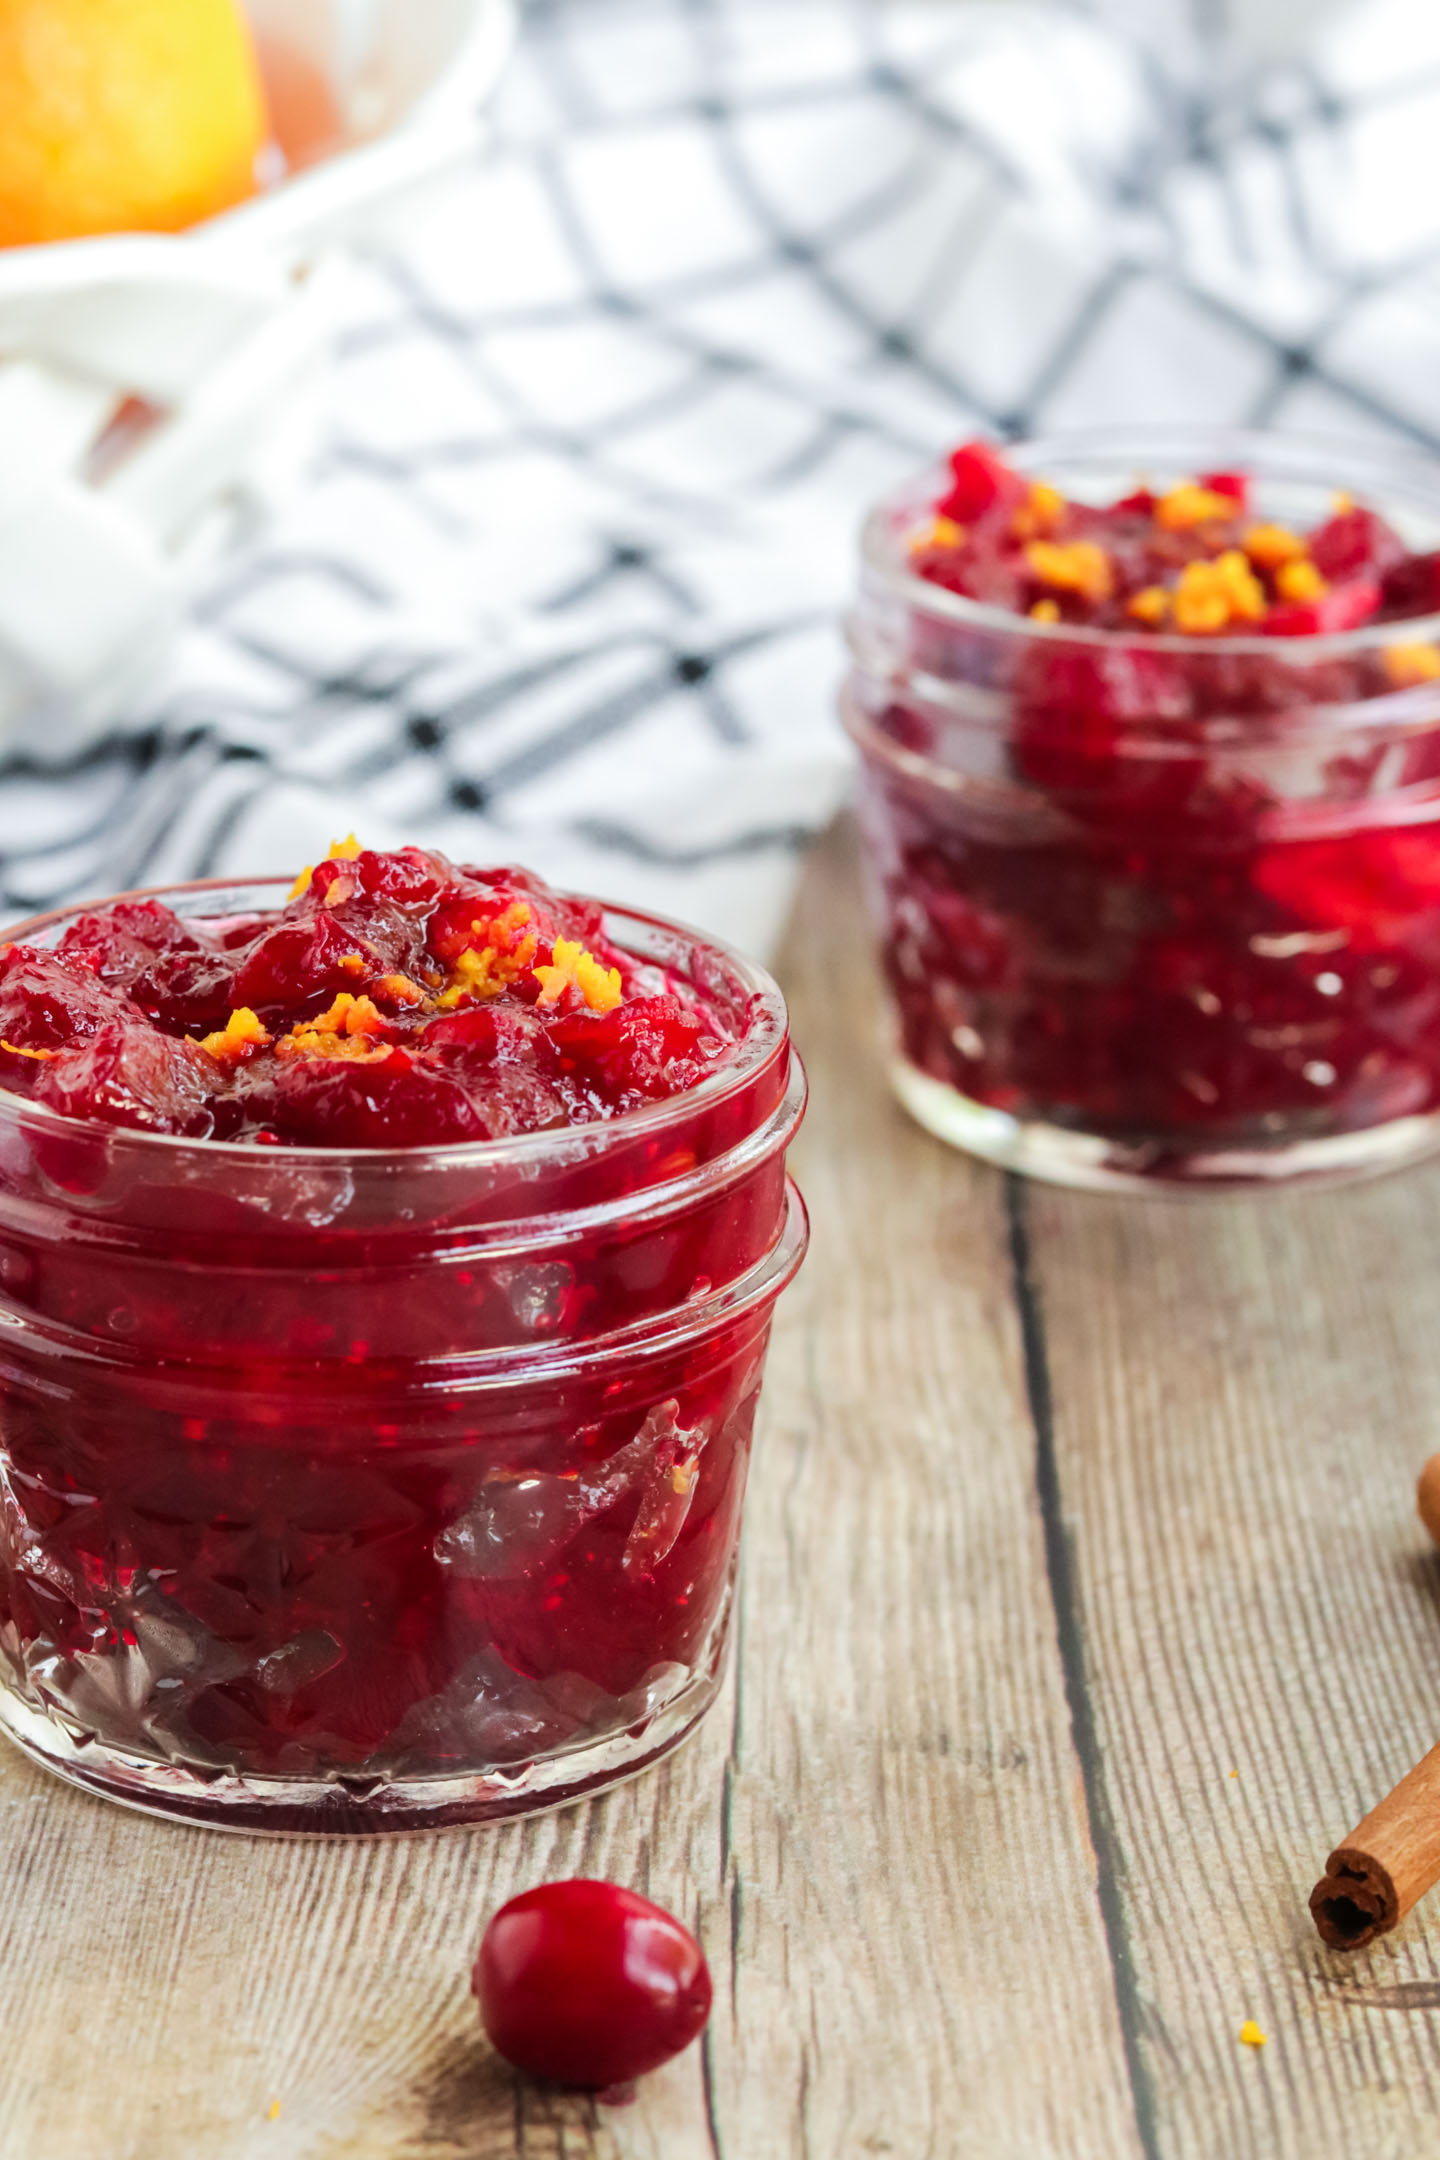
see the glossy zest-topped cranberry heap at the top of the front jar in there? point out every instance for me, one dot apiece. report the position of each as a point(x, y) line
point(398, 1001)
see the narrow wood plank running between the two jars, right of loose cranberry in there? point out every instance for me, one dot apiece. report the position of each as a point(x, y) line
point(921, 1965)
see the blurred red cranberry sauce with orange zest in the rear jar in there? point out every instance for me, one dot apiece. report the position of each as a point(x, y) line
point(1176, 891)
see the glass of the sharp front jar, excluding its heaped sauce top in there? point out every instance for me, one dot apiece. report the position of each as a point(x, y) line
point(388, 1489)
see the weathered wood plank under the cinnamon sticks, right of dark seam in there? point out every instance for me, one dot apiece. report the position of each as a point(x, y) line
point(1245, 1394)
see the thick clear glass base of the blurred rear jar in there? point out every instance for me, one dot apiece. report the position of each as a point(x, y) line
point(1063, 1157)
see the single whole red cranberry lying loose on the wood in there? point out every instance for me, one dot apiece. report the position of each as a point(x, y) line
point(590, 1984)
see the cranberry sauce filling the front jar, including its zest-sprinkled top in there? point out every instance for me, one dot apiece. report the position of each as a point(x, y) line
point(405, 1479)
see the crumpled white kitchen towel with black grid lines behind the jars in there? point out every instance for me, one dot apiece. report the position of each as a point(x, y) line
point(565, 580)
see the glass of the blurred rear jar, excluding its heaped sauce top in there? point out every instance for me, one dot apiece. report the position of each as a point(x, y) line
point(1156, 910)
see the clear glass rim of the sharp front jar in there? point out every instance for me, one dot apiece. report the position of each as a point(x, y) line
point(765, 1038)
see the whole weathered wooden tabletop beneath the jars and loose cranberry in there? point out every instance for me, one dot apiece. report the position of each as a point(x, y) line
point(1085, 1608)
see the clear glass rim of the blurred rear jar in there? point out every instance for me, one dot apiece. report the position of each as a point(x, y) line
point(1197, 448)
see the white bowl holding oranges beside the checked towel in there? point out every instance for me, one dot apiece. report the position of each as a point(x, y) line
point(150, 383)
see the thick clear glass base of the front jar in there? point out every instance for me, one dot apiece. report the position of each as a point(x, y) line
point(379, 1807)
